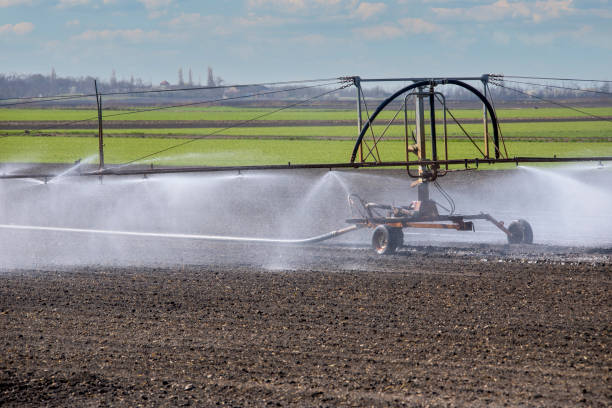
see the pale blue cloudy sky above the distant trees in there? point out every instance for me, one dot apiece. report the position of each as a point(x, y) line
point(266, 40)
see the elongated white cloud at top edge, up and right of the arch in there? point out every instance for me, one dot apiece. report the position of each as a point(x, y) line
point(504, 9)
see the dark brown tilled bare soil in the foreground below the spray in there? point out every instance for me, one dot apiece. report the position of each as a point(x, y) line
point(429, 326)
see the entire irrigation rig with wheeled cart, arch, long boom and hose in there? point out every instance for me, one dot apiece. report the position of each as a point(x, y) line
point(387, 221)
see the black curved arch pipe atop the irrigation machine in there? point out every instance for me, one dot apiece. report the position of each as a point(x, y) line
point(420, 84)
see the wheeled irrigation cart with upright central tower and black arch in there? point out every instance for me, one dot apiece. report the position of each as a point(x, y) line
point(388, 221)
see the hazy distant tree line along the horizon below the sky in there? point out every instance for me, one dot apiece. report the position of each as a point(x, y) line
point(39, 85)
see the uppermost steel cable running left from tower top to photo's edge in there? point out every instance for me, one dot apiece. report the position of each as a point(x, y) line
point(59, 97)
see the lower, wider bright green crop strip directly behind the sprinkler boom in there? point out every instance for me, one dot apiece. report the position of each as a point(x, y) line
point(221, 152)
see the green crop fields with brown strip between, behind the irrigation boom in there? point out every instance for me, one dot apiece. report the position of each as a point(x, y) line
point(229, 136)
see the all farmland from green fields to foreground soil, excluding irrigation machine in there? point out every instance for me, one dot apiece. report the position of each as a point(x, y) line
point(104, 318)
